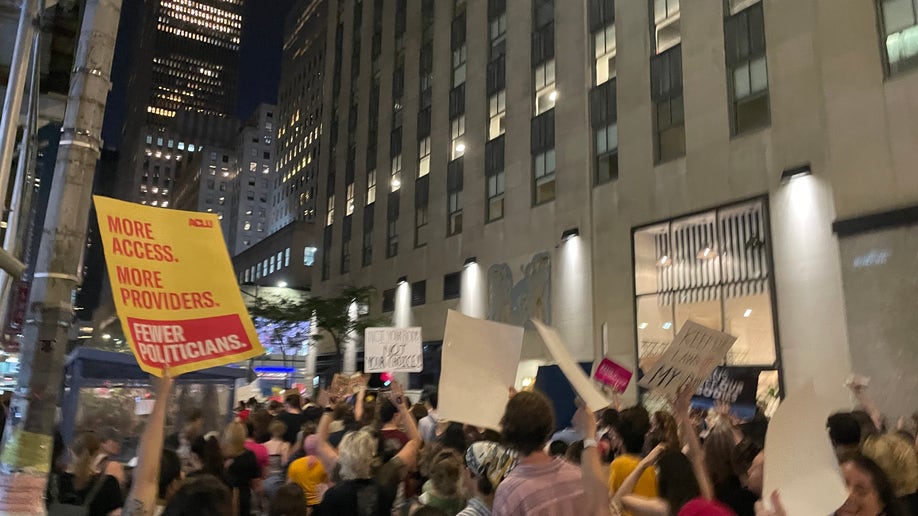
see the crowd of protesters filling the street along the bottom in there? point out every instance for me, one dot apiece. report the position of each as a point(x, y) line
point(376, 453)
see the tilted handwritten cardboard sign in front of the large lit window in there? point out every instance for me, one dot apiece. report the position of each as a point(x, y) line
point(688, 360)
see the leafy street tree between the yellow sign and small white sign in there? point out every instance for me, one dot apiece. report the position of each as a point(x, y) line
point(331, 315)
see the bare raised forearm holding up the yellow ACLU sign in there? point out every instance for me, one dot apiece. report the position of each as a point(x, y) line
point(141, 500)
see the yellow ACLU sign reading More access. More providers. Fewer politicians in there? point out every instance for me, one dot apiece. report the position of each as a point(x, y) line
point(174, 287)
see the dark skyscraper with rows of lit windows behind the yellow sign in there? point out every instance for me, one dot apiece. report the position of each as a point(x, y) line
point(181, 92)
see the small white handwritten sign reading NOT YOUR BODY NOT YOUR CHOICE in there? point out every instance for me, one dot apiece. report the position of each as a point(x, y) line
point(392, 350)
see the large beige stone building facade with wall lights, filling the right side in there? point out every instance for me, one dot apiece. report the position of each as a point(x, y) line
point(618, 168)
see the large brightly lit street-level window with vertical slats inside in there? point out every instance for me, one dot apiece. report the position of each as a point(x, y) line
point(710, 268)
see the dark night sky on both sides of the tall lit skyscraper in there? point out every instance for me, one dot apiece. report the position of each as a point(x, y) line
point(259, 67)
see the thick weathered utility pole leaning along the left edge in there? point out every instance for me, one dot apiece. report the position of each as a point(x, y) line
point(27, 441)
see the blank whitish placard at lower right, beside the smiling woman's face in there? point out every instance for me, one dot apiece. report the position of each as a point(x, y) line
point(799, 460)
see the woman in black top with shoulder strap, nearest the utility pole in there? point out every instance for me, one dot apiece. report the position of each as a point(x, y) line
point(82, 485)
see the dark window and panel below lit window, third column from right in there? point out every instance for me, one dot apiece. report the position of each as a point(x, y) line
point(668, 109)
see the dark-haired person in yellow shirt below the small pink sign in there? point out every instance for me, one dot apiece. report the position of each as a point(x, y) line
point(632, 426)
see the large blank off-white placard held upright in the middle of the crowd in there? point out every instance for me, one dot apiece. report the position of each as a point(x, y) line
point(477, 368)
